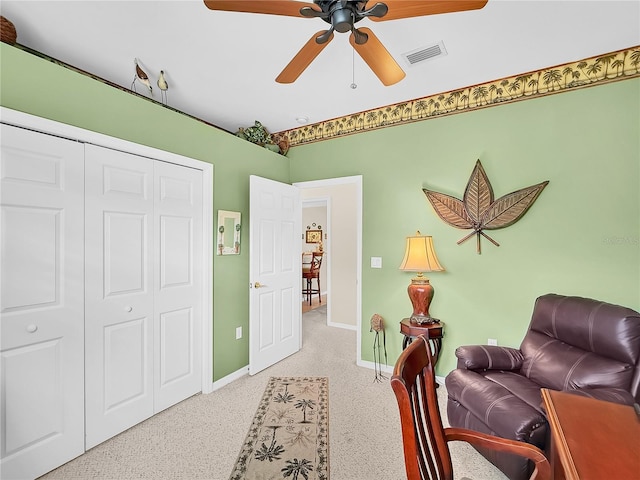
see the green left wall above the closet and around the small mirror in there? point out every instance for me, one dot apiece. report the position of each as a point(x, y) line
point(33, 85)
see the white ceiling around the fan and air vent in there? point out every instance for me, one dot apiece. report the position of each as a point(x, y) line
point(221, 66)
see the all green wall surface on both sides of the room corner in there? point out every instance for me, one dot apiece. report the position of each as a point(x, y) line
point(581, 237)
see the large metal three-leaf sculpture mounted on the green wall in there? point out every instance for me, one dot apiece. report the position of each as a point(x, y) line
point(478, 210)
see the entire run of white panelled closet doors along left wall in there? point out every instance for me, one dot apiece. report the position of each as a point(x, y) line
point(101, 295)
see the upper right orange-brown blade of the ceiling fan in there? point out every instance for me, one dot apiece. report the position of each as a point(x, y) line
point(418, 8)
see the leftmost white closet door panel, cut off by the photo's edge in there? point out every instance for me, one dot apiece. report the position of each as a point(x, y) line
point(41, 305)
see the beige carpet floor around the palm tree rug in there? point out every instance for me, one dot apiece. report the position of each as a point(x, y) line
point(200, 438)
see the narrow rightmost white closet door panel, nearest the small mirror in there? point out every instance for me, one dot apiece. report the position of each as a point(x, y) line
point(177, 283)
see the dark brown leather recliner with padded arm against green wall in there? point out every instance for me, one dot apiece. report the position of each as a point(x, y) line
point(573, 344)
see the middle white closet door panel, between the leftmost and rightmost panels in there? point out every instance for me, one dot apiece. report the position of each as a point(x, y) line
point(119, 292)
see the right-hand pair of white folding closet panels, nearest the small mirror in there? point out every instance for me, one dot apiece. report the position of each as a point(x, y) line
point(143, 231)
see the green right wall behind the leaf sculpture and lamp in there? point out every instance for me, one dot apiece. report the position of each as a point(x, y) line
point(581, 236)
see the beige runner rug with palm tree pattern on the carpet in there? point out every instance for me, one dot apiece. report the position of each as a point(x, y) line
point(289, 435)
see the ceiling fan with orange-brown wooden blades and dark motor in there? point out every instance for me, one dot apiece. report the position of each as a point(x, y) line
point(342, 15)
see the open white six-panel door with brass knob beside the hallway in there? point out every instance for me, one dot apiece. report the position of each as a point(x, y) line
point(275, 272)
